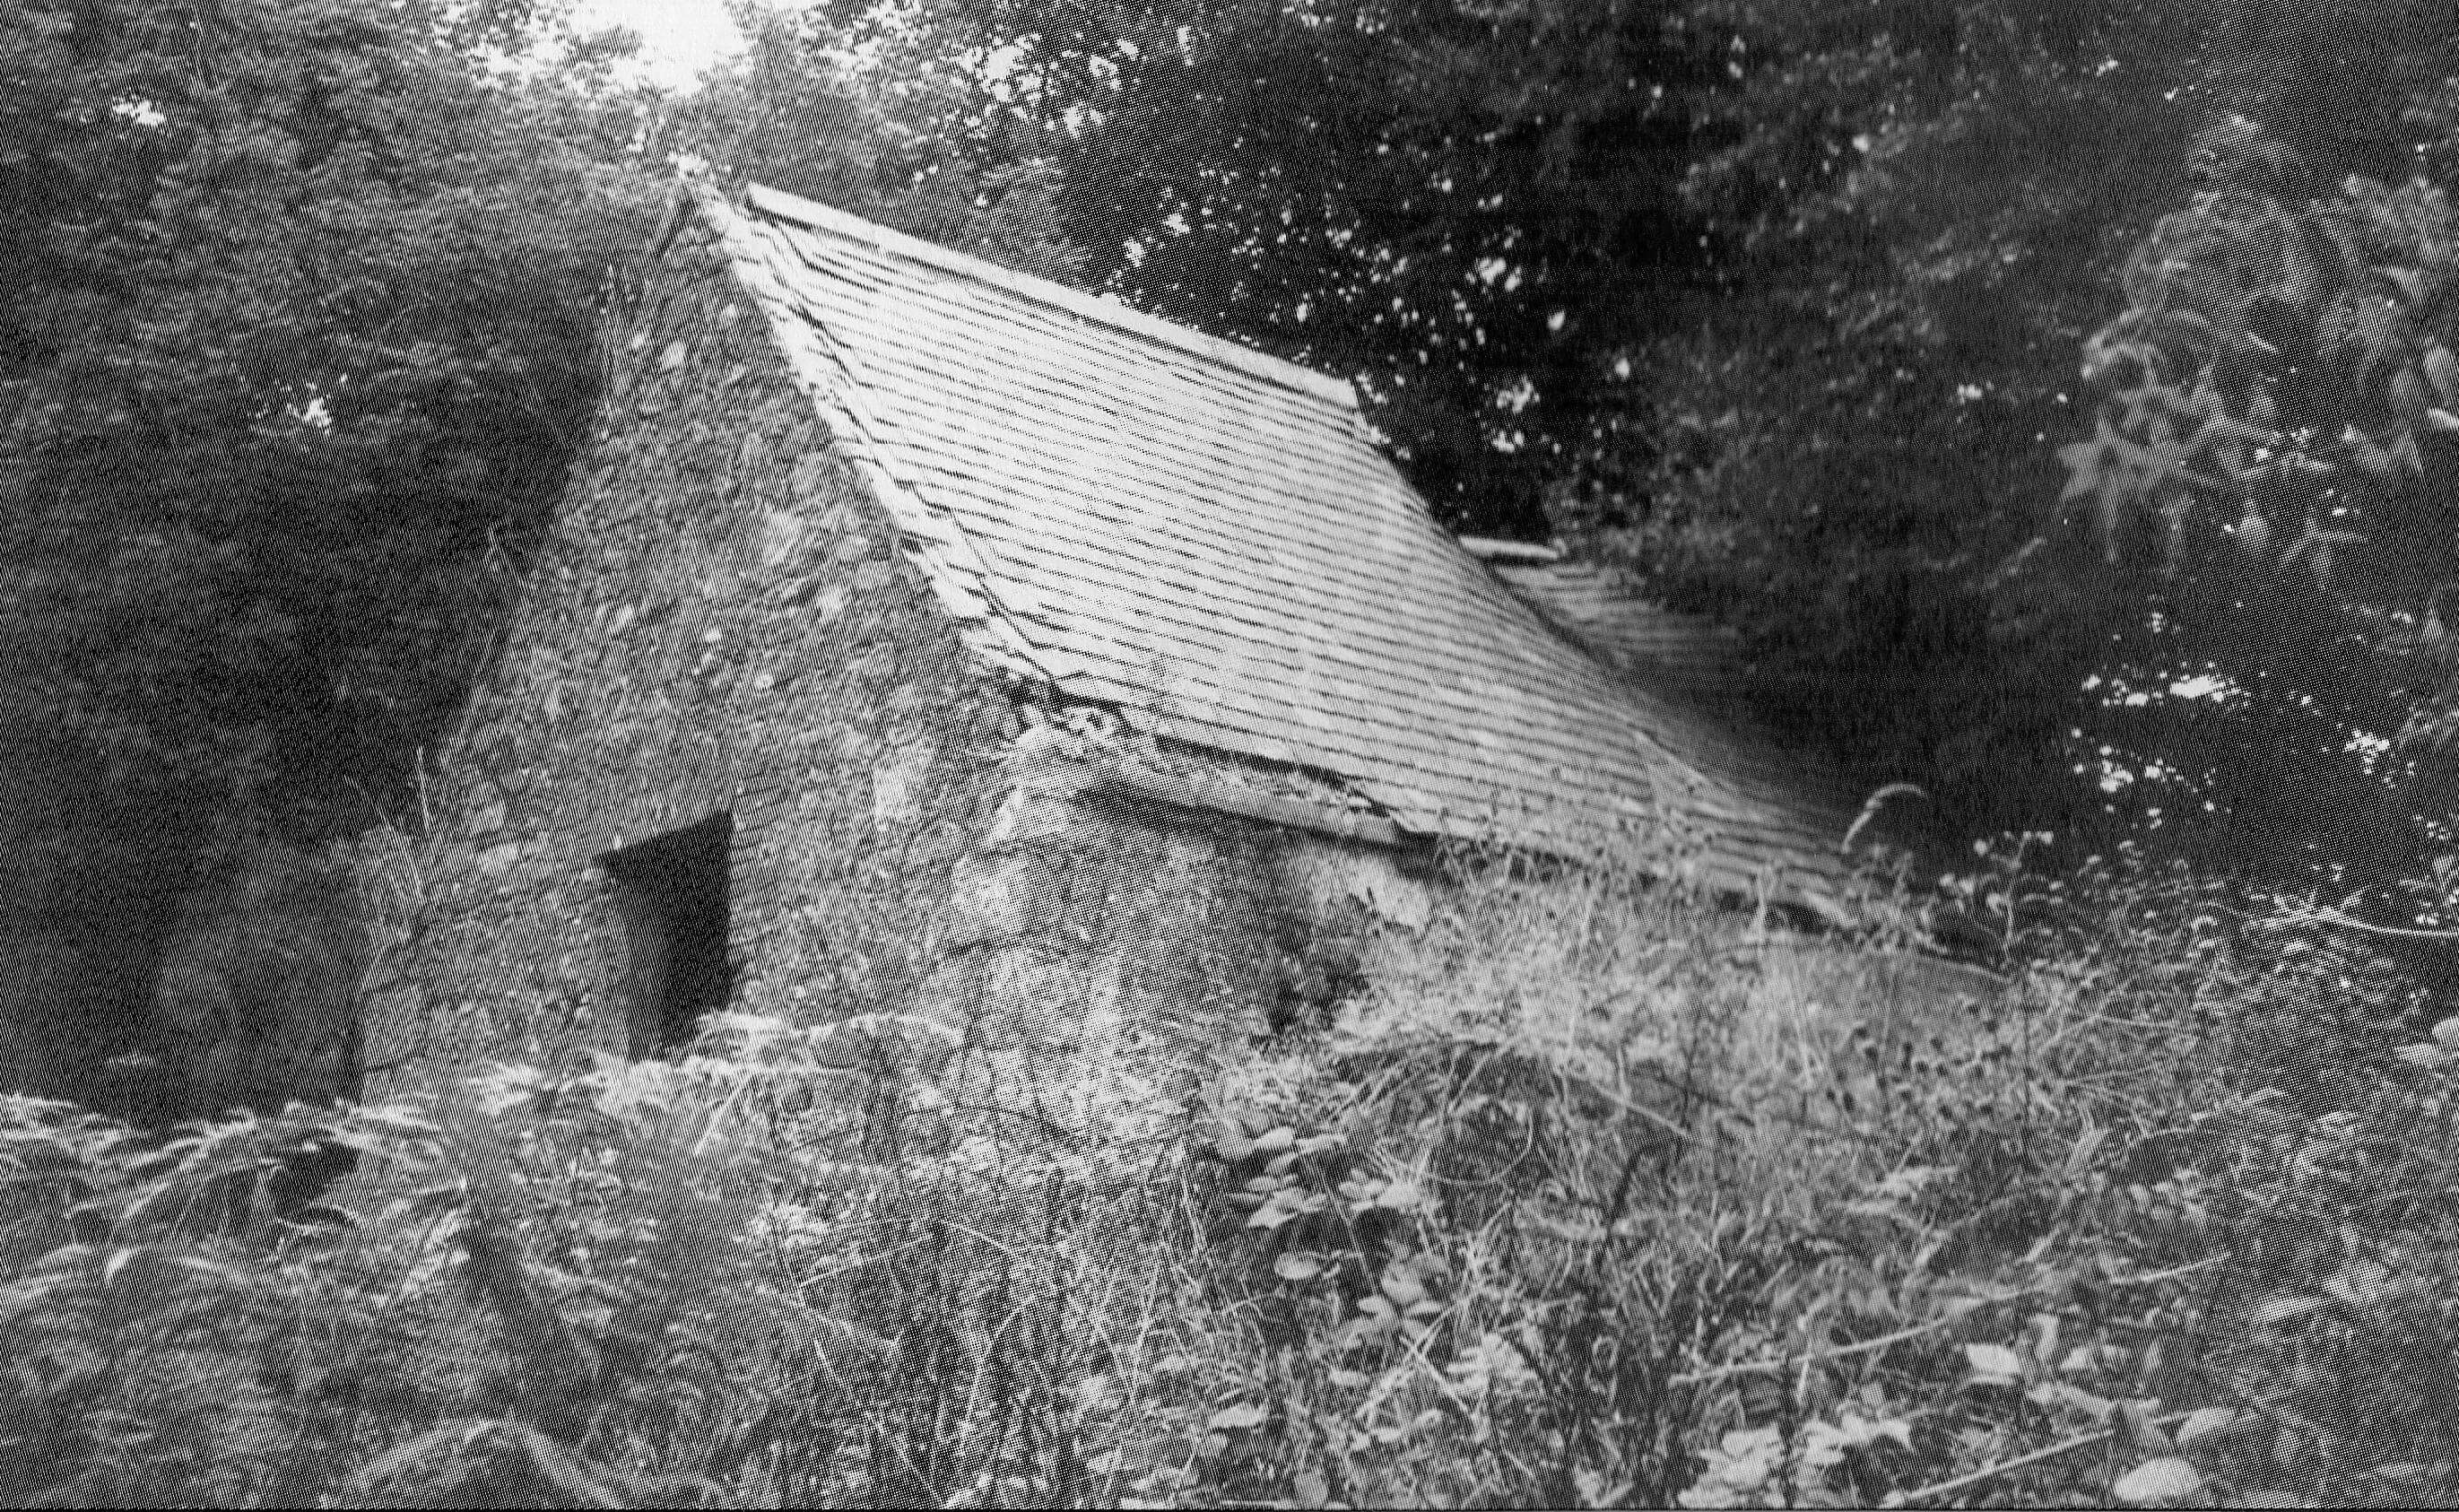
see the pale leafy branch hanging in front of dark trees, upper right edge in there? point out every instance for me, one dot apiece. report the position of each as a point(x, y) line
point(2281, 375)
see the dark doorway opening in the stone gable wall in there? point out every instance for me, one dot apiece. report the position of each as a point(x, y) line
point(675, 921)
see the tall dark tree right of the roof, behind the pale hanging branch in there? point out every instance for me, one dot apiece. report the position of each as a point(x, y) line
point(1929, 205)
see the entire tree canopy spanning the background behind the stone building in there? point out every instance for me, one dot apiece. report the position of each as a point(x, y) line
point(2052, 395)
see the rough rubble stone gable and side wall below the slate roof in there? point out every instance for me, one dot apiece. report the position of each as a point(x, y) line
point(724, 623)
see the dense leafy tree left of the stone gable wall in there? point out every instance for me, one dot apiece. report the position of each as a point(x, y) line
point(296, 353)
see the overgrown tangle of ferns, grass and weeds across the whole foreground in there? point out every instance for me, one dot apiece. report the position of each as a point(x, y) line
point(1592, 1196)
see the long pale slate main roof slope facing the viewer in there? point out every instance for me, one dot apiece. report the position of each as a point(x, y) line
point(1211, 542)
